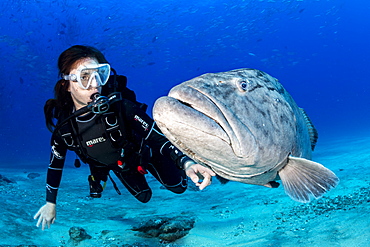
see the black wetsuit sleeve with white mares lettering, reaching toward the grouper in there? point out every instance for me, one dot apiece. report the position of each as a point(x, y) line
point(145, 126)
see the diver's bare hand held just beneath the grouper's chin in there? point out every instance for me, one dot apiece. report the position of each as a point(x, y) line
point(200, 175)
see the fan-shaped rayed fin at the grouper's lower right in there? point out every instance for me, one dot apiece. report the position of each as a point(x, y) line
point(304, 179)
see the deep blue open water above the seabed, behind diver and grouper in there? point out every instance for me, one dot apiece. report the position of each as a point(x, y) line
point(317, 49)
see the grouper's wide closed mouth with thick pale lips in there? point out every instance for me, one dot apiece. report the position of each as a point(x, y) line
point(190, 109)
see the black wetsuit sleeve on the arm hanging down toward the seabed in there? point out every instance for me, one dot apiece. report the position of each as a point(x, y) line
point(54, 174)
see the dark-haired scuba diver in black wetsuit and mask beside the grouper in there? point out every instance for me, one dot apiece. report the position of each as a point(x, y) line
point(99, 119)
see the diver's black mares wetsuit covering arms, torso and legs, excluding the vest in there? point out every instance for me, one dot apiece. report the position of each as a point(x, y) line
point(164, 163)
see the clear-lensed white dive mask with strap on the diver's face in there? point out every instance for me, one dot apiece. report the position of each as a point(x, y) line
point(86, 74)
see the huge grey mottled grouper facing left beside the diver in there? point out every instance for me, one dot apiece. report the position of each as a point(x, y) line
point(246, 127)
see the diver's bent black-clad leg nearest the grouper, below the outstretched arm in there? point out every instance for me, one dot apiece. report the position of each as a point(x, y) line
point(168, 174)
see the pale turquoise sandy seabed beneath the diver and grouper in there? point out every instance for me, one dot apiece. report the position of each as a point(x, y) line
point(234, 214)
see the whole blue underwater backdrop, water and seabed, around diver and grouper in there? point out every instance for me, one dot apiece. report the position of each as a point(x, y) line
point(318, 49)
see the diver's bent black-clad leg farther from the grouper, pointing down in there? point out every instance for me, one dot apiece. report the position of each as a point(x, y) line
point(136, 184)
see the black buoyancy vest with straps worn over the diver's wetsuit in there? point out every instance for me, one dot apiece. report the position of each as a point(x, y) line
point(116, 132)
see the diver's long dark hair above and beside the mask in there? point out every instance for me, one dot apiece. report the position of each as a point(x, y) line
point(62, 104)
